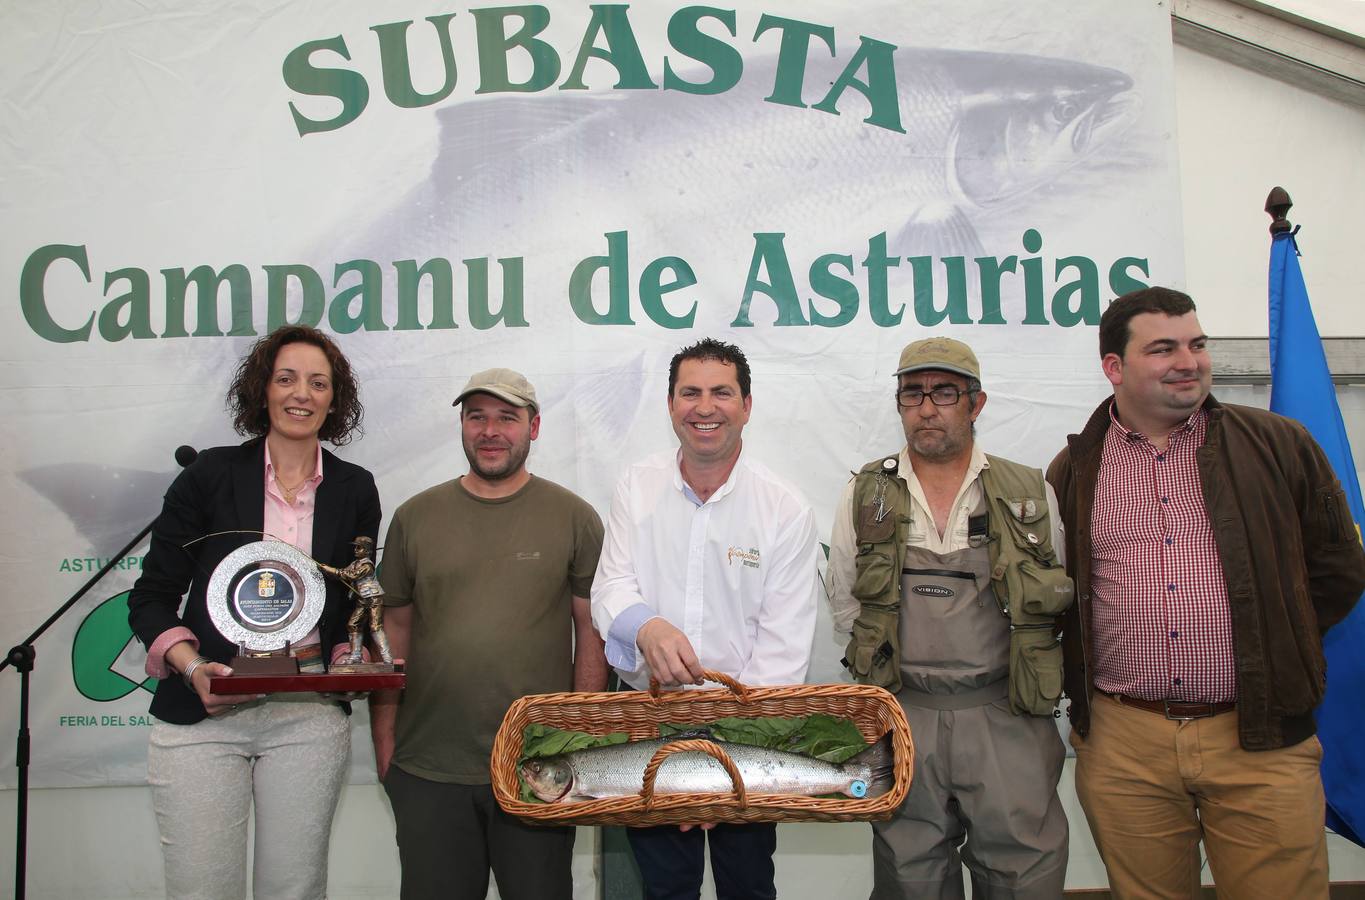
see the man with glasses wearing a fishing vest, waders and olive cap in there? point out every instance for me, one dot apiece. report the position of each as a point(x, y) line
point(944, 565)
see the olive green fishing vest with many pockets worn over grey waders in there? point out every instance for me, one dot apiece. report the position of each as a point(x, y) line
point(1029, 581)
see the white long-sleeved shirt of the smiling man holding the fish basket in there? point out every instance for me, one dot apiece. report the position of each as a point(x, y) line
point(736, 574)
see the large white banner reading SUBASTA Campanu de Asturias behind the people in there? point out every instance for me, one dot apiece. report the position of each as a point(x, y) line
point(570, 191)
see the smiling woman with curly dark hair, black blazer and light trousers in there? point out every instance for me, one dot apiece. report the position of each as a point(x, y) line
point(211, 756)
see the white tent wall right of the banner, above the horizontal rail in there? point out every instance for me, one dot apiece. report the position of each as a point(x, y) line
point(1232, 155)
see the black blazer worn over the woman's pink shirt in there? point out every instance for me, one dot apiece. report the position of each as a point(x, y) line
point(222, 491)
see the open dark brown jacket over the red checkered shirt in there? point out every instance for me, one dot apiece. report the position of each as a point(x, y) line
point(1291, 552)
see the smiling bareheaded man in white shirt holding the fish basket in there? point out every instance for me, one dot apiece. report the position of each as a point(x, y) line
point(709, 563)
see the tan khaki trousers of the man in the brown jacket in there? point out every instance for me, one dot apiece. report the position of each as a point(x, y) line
point(1153, 789)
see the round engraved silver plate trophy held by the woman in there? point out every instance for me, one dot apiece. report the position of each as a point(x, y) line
point(265, 597)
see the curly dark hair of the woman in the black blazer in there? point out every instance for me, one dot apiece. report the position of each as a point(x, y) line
point(246, 394)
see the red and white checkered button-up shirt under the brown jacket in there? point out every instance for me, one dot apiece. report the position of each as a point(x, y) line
point(1161, 618)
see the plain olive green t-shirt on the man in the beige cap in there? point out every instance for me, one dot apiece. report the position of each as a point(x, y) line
point(492, 585)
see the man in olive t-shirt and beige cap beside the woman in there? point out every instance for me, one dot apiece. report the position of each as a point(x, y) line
point(487, 582)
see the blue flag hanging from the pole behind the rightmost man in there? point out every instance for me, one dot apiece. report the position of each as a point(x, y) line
point(1302, 389)
